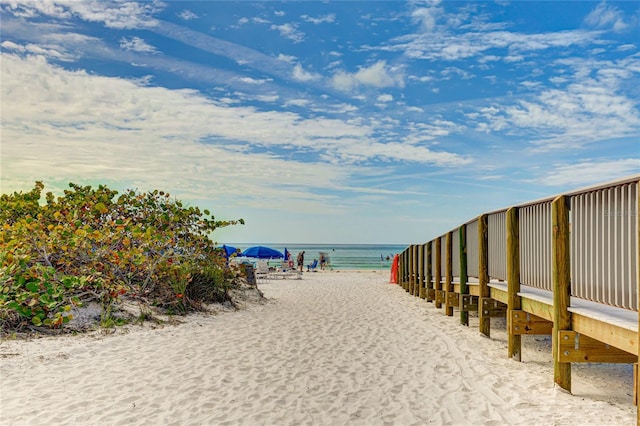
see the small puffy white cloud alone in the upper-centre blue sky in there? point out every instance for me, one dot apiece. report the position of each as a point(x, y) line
point(378, 75)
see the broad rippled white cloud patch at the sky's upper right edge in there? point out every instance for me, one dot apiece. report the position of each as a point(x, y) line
point(592, 107)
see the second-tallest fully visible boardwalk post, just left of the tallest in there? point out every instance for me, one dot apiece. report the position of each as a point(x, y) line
point(513, 279)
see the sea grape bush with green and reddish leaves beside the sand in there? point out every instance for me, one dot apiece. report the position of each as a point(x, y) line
point(93, 244)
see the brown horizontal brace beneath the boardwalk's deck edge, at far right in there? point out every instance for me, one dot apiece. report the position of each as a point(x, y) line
point(575, 347)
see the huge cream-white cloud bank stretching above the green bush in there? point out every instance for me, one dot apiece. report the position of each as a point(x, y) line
point(64, 125)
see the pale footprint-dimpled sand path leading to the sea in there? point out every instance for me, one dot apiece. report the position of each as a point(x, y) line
point(334, 348)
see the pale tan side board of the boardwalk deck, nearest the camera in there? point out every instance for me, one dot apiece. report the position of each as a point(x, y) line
point(619, 337)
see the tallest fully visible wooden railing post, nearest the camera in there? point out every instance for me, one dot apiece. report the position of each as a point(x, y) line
point(561, 283)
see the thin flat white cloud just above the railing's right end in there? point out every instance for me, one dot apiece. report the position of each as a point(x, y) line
point(590, 172)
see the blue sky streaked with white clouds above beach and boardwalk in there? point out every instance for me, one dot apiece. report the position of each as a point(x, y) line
point(322, 122)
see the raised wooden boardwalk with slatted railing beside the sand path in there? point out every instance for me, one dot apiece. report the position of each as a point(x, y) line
point(566, 266)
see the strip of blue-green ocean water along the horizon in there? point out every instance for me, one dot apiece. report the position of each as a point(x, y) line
point(341, 256)
